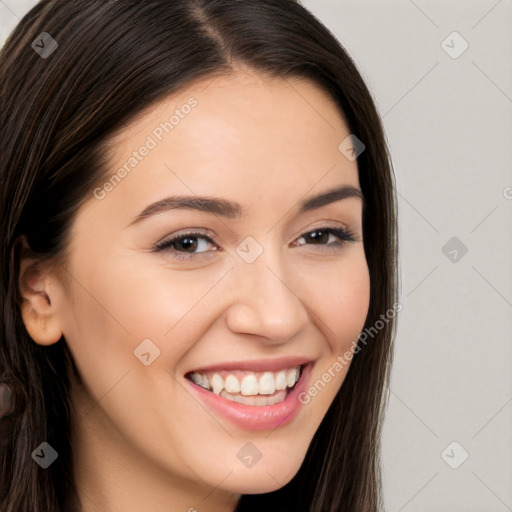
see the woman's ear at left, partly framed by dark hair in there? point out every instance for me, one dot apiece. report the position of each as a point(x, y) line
point(38, 293)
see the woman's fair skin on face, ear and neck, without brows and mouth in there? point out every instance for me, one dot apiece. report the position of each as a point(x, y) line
point(143, 442)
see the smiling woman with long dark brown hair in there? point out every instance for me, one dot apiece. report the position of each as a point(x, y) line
point(199, 221)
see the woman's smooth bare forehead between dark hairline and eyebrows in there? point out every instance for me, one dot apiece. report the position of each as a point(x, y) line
point(244, 136)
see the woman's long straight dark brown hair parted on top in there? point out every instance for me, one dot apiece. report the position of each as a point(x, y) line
point(114, 59)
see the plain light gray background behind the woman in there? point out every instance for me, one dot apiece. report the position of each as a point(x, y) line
point(449, 126)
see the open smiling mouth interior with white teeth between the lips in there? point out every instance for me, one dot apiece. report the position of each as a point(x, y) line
point(248, 387)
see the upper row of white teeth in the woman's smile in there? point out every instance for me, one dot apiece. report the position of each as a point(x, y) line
point(268, 383)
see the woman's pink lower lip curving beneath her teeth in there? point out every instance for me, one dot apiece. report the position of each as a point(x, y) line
point(254, 417)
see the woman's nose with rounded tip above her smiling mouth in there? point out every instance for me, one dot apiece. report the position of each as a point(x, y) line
point(266, 302)
